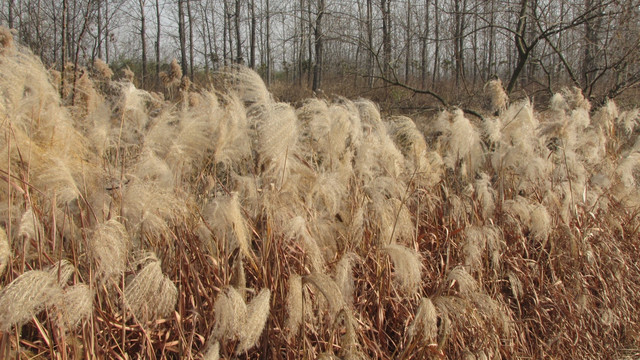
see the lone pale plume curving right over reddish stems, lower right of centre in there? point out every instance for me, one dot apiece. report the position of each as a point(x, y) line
point(407, 267)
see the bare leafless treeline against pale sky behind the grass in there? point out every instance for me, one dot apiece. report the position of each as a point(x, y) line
point(537, 45)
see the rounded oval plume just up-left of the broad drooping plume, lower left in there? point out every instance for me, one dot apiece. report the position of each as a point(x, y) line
point(109, 248)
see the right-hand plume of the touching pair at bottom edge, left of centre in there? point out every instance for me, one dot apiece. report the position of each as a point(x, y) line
point(257, 314)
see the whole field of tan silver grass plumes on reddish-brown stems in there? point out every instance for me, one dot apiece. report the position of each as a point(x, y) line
point(224, 224)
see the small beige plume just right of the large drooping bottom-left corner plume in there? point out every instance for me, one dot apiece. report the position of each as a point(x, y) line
point(76, 305)
